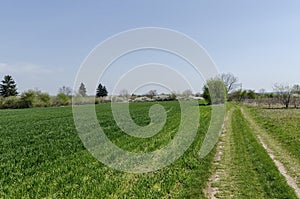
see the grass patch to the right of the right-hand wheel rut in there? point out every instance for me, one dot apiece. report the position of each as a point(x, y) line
point(283, 125)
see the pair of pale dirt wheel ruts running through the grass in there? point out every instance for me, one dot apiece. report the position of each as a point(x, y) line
point(221, 183)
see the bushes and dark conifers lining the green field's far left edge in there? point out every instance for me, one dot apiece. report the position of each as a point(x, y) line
point(10, 98)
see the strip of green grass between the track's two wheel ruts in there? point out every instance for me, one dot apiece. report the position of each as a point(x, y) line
point(250, 172)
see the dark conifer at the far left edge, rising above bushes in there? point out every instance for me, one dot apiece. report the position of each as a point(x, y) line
point(8, 87)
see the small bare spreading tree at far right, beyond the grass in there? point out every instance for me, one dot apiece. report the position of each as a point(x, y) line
point(284, 93)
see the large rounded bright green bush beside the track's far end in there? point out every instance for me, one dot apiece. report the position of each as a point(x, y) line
point(215, 92)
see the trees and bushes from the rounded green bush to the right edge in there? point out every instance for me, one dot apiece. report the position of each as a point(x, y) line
point(223, 88)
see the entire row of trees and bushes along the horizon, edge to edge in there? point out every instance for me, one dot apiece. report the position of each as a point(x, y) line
point(220, 89)
